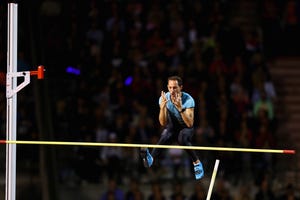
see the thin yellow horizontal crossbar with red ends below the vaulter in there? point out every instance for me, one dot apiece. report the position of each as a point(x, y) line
point(288, 151)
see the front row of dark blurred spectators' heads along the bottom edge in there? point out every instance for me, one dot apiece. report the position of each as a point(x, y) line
point(197, 191)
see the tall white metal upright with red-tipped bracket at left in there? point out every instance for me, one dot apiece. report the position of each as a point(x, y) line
point(12, 88)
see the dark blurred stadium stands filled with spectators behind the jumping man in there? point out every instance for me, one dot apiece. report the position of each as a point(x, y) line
point(106, 63)
